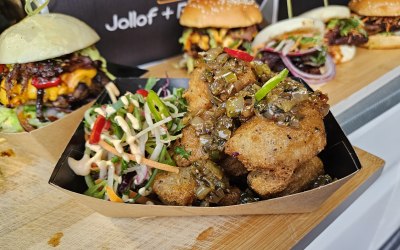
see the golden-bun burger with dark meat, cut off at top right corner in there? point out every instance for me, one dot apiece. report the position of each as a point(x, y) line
point(381, 19)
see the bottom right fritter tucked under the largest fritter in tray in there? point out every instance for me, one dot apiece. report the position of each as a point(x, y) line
point(268, 184)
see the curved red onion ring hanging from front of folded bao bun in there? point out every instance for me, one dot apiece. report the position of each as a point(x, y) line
point(312, 78)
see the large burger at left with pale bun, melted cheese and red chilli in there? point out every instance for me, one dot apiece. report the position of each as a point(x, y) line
point(48, 68)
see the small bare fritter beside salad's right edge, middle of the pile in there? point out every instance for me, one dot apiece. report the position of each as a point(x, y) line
point(190, 142)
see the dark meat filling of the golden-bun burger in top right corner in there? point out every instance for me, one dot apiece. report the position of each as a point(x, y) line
point(375, 25)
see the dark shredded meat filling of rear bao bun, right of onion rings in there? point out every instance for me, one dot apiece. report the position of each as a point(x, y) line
point(333, 37)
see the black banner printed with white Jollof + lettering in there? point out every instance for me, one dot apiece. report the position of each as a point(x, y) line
point(132, 32)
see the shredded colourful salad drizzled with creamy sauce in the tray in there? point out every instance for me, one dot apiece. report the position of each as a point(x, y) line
point(127, 143)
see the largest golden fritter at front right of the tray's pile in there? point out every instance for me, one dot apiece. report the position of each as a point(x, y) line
point(262, 144)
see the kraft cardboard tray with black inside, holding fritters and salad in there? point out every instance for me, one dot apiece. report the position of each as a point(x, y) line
point(340, 161)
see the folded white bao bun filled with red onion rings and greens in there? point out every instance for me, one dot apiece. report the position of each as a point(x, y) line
point(298, 45)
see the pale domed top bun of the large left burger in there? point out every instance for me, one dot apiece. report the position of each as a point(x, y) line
point(46, 36)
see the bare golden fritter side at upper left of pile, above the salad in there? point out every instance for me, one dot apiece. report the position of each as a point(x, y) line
point(198, 94)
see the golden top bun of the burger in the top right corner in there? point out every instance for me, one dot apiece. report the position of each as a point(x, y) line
point(375, 7)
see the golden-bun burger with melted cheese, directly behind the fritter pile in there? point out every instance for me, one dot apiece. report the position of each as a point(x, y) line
point(218, 23)
